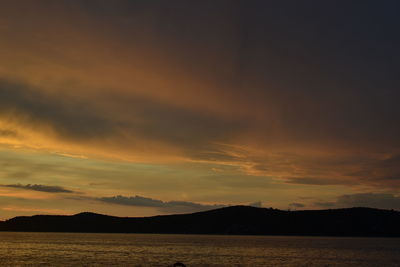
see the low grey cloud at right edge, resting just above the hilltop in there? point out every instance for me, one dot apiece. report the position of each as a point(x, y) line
point(371, 200)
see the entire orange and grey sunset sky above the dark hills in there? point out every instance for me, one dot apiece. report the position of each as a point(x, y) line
point(140, 108)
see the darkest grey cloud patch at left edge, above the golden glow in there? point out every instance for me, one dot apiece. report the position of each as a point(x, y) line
point(69, 116)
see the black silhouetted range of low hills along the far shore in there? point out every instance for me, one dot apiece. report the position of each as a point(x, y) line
point(238, 220)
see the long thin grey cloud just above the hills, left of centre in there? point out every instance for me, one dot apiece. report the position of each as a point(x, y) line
point(170, 206)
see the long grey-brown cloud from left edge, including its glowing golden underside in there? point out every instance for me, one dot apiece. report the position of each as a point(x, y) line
point(119, 123)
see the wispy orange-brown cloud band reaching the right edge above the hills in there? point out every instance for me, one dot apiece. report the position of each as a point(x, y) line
point(319, 168)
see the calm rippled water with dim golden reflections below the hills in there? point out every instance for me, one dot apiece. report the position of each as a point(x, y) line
point(65, 249)
